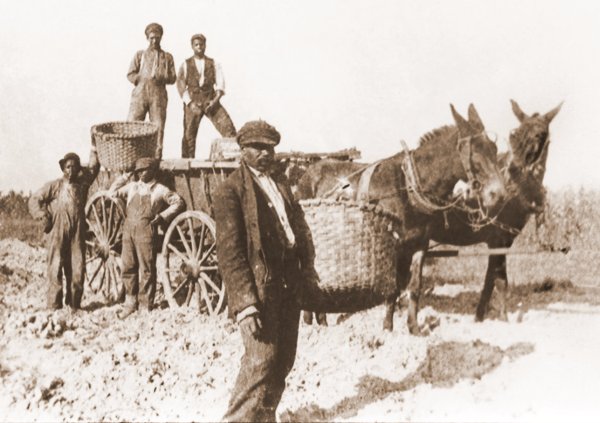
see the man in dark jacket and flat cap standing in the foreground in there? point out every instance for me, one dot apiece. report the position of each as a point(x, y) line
point(265, 254)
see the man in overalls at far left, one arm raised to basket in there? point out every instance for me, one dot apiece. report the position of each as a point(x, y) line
point(60, 205)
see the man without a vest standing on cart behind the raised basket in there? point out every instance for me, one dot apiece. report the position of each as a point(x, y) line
point(149, 71)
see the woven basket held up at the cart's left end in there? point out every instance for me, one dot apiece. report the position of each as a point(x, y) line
point(120, 144)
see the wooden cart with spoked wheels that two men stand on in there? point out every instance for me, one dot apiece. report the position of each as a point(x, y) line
point(187, 266)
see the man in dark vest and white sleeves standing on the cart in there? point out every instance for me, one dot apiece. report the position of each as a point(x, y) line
point(201, 85)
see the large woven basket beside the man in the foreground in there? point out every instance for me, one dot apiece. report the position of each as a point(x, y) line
point(354, 256)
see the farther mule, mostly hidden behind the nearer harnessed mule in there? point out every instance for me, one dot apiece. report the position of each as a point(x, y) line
point(523, 169)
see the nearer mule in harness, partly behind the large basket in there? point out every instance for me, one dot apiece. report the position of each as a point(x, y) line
point(444, 157)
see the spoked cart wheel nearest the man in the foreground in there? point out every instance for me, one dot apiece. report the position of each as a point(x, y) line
point(191, 264)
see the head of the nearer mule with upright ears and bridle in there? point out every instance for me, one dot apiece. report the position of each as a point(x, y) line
point(485, 185)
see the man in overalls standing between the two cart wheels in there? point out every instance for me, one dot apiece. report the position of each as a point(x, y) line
point(149, 204)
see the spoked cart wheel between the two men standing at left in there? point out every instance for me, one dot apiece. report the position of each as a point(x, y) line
point(104, 216)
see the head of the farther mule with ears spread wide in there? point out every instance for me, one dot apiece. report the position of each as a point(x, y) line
point(529, 142)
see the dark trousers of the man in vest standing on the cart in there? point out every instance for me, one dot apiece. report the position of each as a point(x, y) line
point(191, 122)
